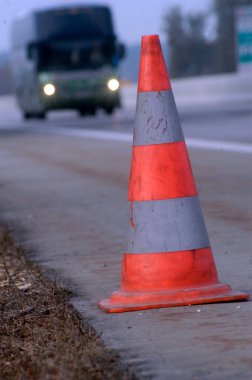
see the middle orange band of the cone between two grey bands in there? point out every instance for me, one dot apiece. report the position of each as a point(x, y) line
point(160, 171)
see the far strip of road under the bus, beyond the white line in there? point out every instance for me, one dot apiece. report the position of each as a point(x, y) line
point(230, 124)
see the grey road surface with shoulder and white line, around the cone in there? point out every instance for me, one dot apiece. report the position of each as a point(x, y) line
point(63, 192)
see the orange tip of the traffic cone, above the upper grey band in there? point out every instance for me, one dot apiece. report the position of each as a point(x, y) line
point(153, 74)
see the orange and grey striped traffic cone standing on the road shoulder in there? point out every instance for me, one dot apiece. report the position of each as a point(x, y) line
point(168, 260)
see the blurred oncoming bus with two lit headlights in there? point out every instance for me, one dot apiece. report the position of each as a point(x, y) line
point(66, 58)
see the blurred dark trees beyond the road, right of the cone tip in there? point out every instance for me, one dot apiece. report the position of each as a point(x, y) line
point(192, 50)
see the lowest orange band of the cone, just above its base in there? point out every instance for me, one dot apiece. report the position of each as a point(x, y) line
point(169, 270)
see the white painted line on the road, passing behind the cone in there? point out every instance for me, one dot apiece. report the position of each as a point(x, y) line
point(220, 146)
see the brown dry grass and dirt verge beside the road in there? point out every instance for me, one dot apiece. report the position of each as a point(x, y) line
point(41, 334)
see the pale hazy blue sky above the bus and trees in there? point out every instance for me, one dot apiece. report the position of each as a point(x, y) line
point(133, 18)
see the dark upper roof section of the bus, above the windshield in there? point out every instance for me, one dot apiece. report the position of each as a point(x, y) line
point(63, 22)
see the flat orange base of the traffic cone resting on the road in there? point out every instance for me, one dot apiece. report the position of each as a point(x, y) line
point(123, 300)
